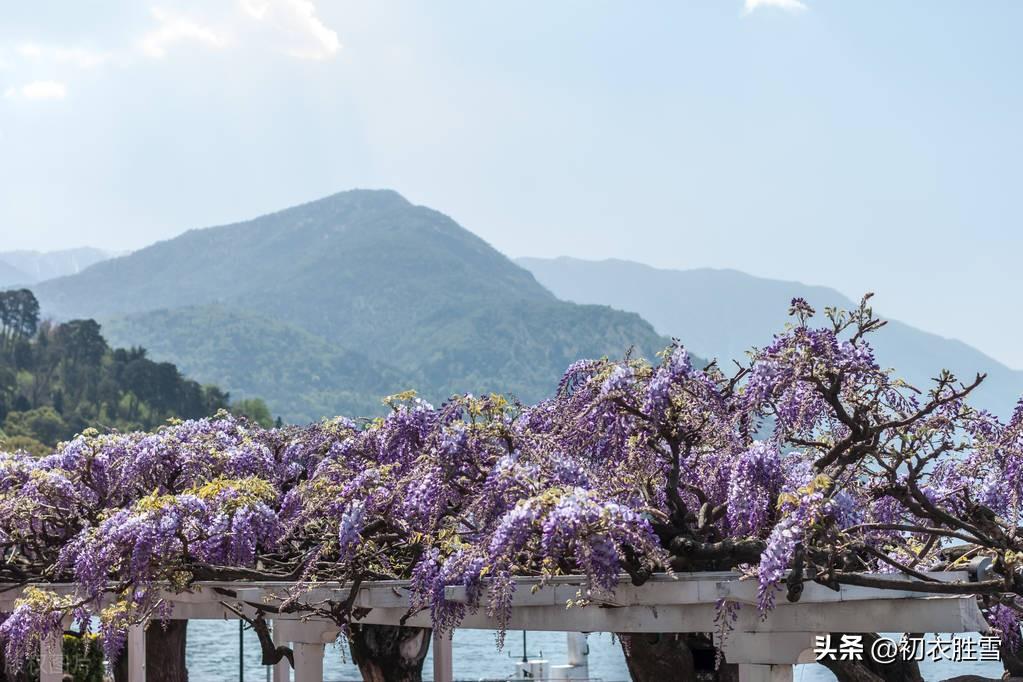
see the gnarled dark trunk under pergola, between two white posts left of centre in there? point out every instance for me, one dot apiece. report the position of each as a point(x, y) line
point(390, 654)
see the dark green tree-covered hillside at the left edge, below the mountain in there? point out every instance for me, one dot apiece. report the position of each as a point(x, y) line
point(66, 378)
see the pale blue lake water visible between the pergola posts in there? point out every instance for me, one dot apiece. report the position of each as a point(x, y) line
point(213, 657)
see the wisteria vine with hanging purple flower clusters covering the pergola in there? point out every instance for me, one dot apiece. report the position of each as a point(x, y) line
point(809, 464)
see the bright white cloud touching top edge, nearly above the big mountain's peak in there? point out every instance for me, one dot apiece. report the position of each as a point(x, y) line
point(306, 35)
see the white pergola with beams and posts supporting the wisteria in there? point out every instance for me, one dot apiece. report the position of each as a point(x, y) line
point(765, 649)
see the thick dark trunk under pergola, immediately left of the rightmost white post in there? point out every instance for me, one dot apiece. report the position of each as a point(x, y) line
point(659, 657)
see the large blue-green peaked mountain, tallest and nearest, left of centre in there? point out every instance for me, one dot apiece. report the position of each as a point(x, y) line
point(323, 308)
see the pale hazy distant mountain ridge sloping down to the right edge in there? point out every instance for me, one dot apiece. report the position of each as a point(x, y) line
point(723, 313)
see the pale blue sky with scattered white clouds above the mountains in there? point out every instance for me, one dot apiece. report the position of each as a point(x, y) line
point(866, 146)
